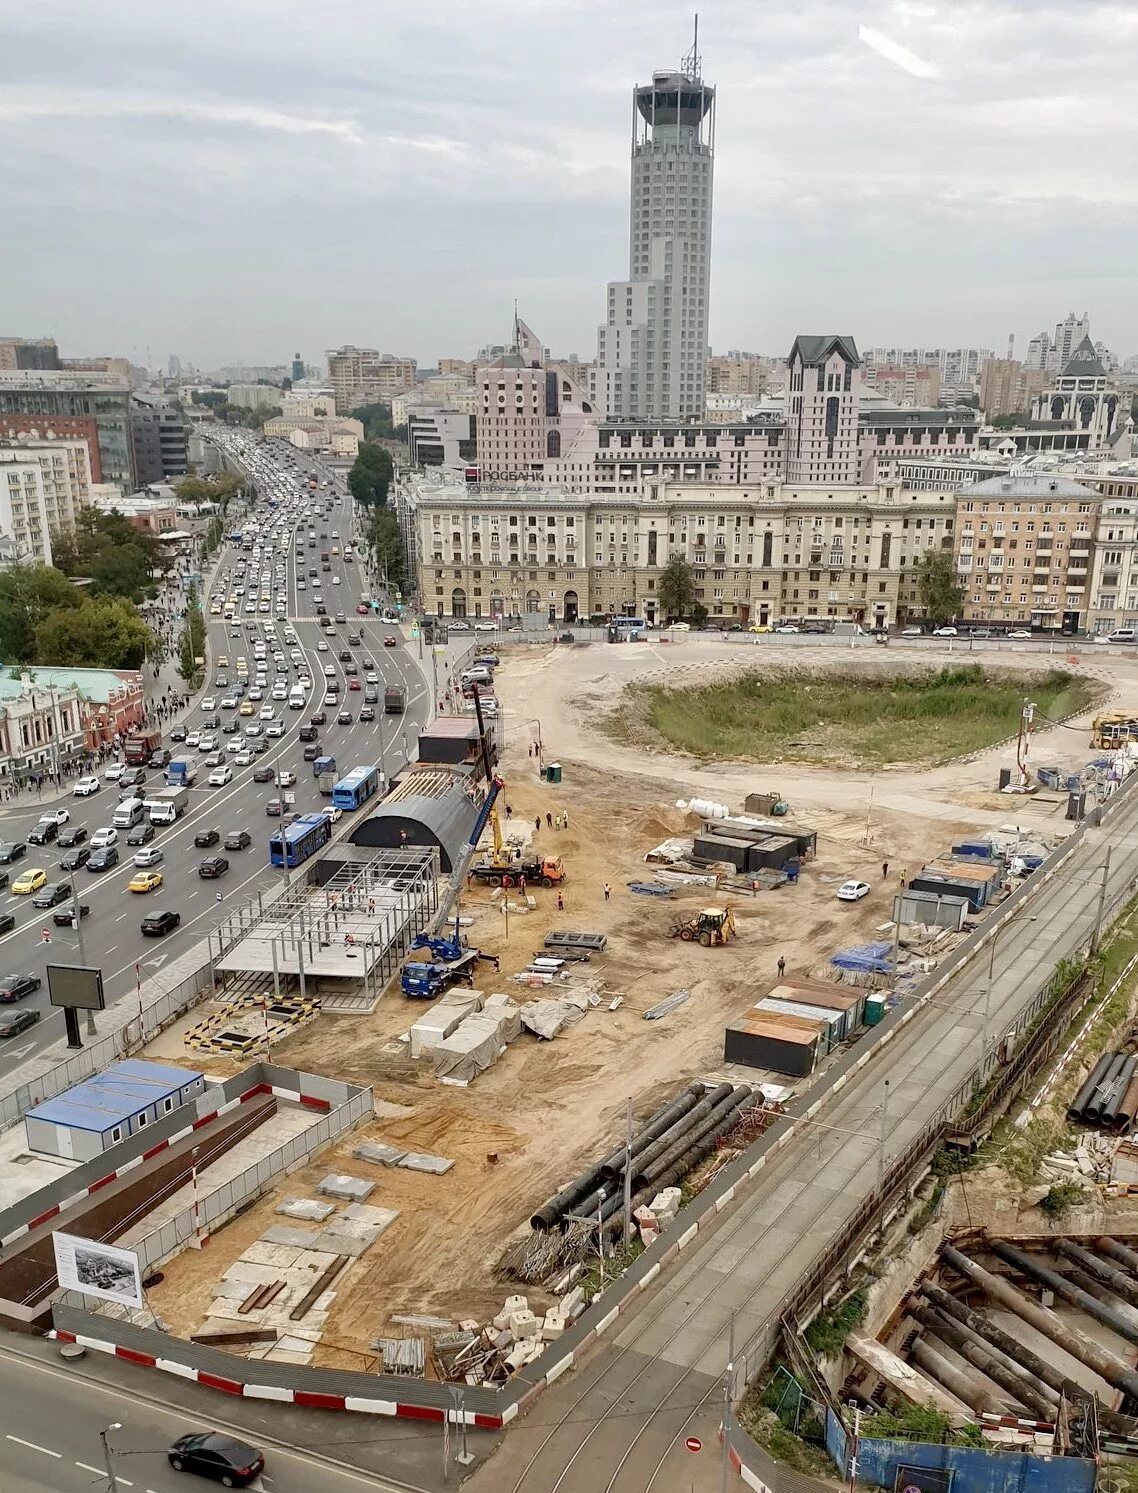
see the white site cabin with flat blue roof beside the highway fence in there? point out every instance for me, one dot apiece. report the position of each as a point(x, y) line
point(107, 1109)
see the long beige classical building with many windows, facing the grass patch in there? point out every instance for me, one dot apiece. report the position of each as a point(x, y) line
point(758, 555)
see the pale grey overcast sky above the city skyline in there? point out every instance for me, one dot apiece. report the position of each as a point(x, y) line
point(237, 181)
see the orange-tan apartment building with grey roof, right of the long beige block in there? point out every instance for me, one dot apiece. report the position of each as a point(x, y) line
point(1024, 552)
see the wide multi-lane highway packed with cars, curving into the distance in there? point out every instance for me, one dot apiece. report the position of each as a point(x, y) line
point(273, 595)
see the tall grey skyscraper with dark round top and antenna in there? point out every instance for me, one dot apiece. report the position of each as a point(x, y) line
point(653, 347)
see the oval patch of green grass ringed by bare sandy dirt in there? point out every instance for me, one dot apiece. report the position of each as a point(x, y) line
point(916, 717)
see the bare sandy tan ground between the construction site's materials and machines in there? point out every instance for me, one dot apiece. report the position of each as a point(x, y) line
point(531, 1123)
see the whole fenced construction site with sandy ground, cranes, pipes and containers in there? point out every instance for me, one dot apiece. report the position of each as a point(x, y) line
point(574, 1019)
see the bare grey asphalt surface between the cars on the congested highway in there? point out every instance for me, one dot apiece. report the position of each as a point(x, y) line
point(111, 935)
